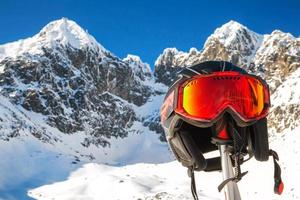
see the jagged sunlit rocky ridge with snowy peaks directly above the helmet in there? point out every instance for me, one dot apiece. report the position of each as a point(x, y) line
point(272, 56)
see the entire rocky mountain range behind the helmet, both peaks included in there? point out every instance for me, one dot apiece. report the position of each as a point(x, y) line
point(64, 78)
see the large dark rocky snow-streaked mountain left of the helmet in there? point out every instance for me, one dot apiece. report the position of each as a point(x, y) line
point(76, 86)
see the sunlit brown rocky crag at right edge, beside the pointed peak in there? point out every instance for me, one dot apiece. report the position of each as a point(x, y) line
point(279, 54)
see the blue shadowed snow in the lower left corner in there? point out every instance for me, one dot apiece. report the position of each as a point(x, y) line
point(30, 163)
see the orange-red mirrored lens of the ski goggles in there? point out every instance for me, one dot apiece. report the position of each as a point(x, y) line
point(206, 97)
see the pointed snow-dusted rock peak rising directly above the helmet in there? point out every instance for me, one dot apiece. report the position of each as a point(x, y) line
point(232, 42)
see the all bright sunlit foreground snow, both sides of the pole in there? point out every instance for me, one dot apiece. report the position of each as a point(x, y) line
point(170, 180)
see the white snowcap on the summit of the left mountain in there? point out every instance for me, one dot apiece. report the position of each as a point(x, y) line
point(60, 32)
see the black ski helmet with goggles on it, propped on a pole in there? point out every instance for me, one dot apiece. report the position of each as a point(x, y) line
point(200, 98)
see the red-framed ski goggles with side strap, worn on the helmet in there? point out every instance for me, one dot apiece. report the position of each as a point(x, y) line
point(203, 98)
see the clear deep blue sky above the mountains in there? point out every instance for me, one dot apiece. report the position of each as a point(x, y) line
point(146, 27)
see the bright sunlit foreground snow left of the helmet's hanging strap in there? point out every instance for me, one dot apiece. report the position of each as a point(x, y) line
point(140, 181)
